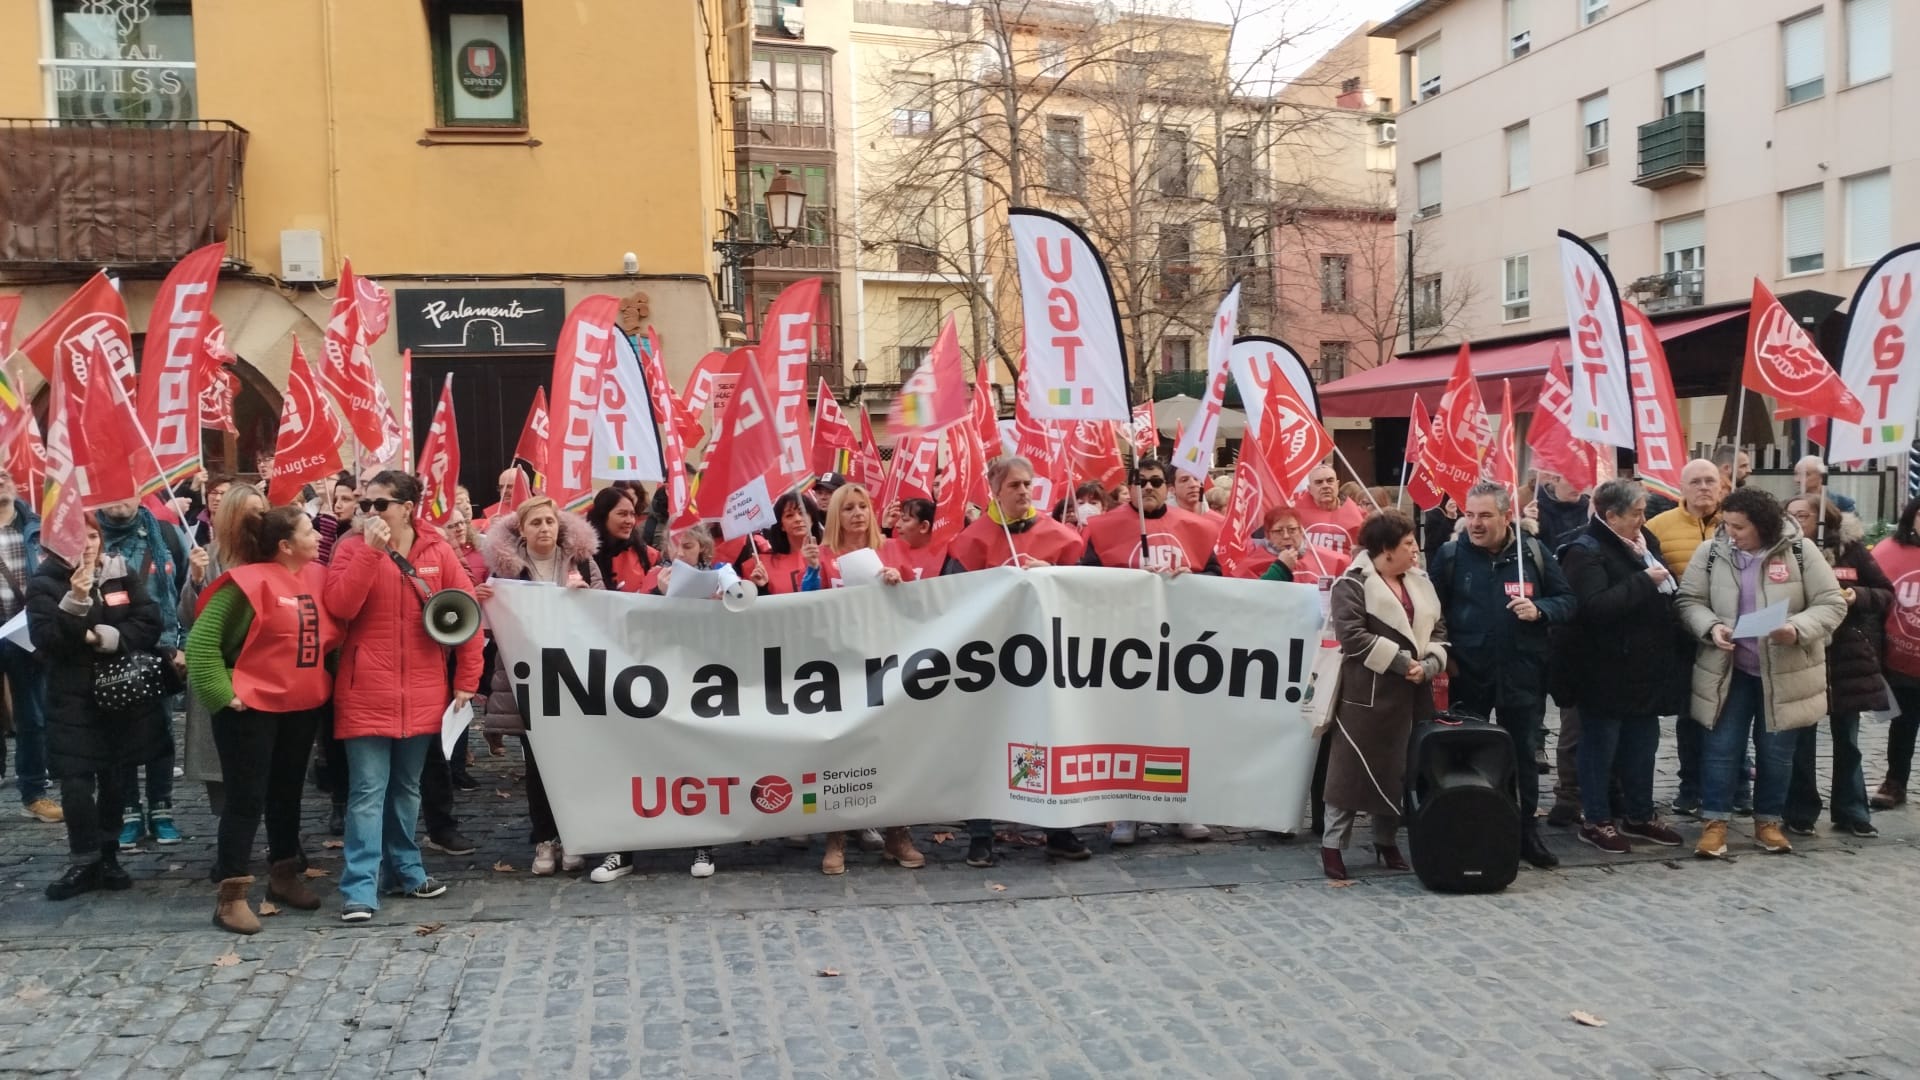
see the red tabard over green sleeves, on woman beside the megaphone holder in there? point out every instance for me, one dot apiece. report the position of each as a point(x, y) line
point(283, 662)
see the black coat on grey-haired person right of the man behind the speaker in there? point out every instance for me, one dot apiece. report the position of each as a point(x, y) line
point(1623, 652)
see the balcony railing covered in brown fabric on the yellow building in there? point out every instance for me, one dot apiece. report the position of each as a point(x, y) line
point(128, 193)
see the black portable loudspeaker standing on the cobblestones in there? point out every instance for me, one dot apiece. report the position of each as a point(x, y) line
point(1464, 814)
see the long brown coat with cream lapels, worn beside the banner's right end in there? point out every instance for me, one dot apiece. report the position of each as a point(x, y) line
point(1378, 708)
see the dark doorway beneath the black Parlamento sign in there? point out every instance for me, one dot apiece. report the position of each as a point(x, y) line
point(491, 403)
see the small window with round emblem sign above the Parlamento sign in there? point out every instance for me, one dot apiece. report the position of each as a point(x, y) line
point(479, 64)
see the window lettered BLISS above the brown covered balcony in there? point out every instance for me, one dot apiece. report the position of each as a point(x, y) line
point(132, 61)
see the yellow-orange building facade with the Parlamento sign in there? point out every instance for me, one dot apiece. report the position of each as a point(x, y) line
point(491, 162)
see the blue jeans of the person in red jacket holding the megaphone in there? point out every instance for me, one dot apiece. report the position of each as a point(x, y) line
point(383, 806)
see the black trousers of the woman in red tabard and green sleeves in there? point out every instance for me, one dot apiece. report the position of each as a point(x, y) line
point(264, 762)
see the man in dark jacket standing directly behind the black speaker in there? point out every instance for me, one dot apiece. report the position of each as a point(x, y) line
point(1500, 591)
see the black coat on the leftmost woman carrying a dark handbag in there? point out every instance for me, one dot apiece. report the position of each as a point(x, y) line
point(84, 739)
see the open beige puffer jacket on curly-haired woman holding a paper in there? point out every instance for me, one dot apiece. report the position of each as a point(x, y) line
point(1792, 677)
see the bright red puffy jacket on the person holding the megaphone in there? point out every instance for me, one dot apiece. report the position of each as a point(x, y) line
point(393, 677)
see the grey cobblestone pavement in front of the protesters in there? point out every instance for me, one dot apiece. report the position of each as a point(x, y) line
point(1168, 960)
